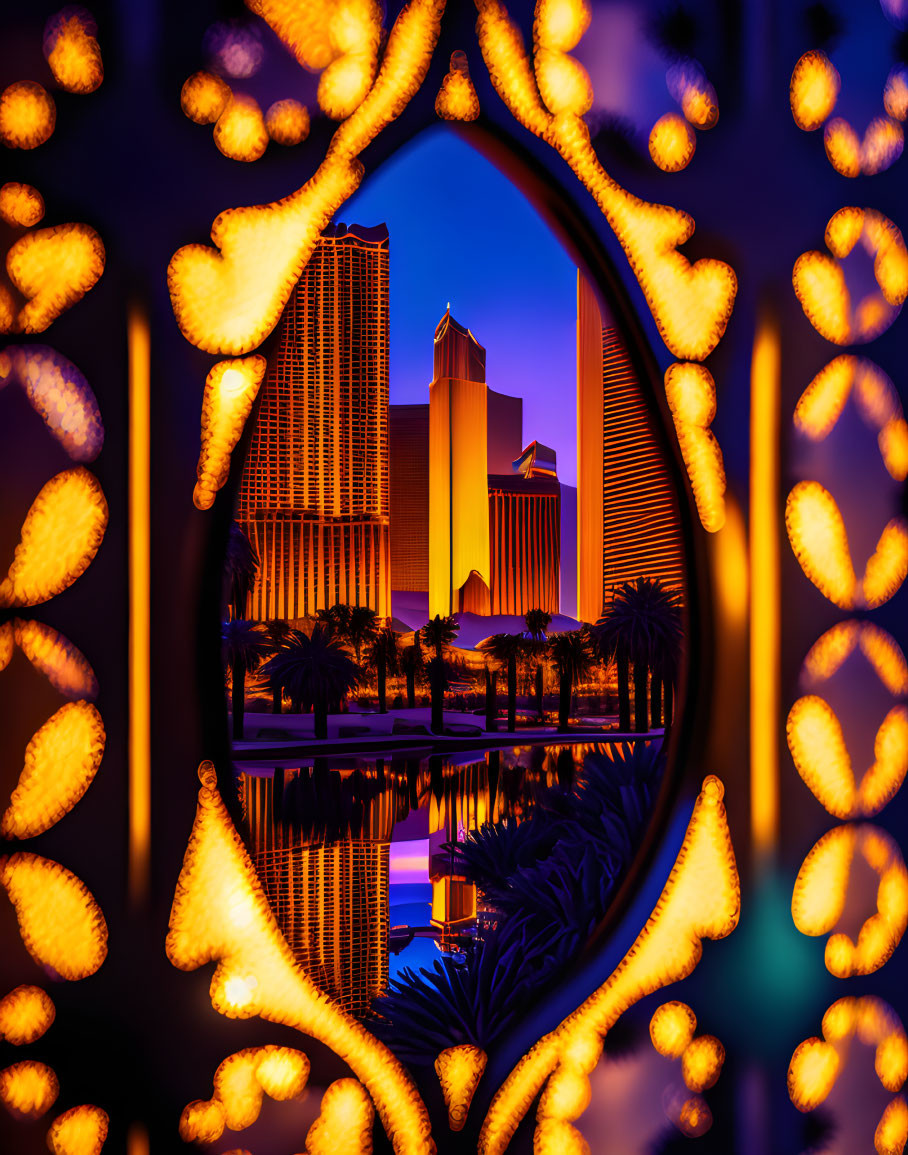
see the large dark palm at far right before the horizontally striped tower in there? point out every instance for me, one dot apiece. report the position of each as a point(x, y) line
point(643, 627)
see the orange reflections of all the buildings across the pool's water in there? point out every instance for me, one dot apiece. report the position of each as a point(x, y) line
point(321, 841)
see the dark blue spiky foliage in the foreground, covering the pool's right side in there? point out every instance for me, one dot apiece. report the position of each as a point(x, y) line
point(550, 881)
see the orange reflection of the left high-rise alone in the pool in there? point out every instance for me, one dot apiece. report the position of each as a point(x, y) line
point(330, 898)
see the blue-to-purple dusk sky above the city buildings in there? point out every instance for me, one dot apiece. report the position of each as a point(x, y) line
point(462, 233)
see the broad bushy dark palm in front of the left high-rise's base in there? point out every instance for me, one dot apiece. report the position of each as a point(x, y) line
point(314, 669)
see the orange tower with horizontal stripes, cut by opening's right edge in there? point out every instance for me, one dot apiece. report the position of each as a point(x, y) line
point(628, 519)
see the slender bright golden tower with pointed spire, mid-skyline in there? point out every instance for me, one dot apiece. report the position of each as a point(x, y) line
point(459, 563)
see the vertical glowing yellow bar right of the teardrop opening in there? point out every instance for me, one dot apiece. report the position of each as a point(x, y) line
point(765, 587)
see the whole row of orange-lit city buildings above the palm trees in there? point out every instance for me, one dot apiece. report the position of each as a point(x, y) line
point(482, 524)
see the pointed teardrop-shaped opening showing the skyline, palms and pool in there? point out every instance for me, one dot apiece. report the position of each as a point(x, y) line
point(459, 607)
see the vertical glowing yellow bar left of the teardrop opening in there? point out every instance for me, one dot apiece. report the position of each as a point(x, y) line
point(140, 601)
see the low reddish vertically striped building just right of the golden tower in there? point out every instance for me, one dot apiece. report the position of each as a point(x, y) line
point(525, 538)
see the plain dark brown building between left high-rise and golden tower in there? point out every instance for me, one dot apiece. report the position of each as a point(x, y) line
point(410, 497)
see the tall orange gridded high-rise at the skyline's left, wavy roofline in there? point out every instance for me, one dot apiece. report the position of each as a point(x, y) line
point(315, 495)
